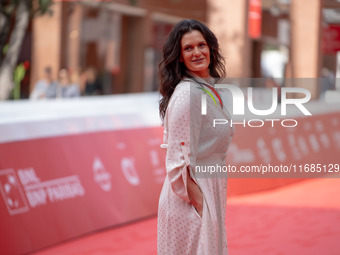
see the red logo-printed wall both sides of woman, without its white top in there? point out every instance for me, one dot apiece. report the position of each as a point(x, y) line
point(60, 187)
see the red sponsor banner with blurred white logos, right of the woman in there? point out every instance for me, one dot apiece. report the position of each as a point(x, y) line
point(309, 150)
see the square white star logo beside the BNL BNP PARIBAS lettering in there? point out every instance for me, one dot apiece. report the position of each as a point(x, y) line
point(12, 192)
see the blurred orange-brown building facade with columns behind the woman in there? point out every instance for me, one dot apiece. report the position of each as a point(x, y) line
point(122, 40)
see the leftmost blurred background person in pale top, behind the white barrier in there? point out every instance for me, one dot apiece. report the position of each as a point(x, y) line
point(46, 87)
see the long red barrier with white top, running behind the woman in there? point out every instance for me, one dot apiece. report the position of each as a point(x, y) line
point(72, 167)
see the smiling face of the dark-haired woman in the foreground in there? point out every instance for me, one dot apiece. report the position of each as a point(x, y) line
point(195, 53)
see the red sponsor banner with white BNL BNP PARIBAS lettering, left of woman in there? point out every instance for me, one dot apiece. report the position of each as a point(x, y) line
point(54, 189)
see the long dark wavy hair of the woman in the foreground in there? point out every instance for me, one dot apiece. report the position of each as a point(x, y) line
point(171, 70)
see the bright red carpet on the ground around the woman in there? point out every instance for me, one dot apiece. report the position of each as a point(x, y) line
point(303, 218)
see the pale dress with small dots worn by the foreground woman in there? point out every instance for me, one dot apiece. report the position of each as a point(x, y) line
point(191, 142)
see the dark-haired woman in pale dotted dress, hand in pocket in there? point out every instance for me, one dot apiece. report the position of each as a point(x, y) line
point(191, 214)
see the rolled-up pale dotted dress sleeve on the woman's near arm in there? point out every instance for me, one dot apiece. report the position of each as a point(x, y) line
point(184, 125)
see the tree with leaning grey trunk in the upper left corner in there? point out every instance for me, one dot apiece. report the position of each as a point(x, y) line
point(19, 12)
